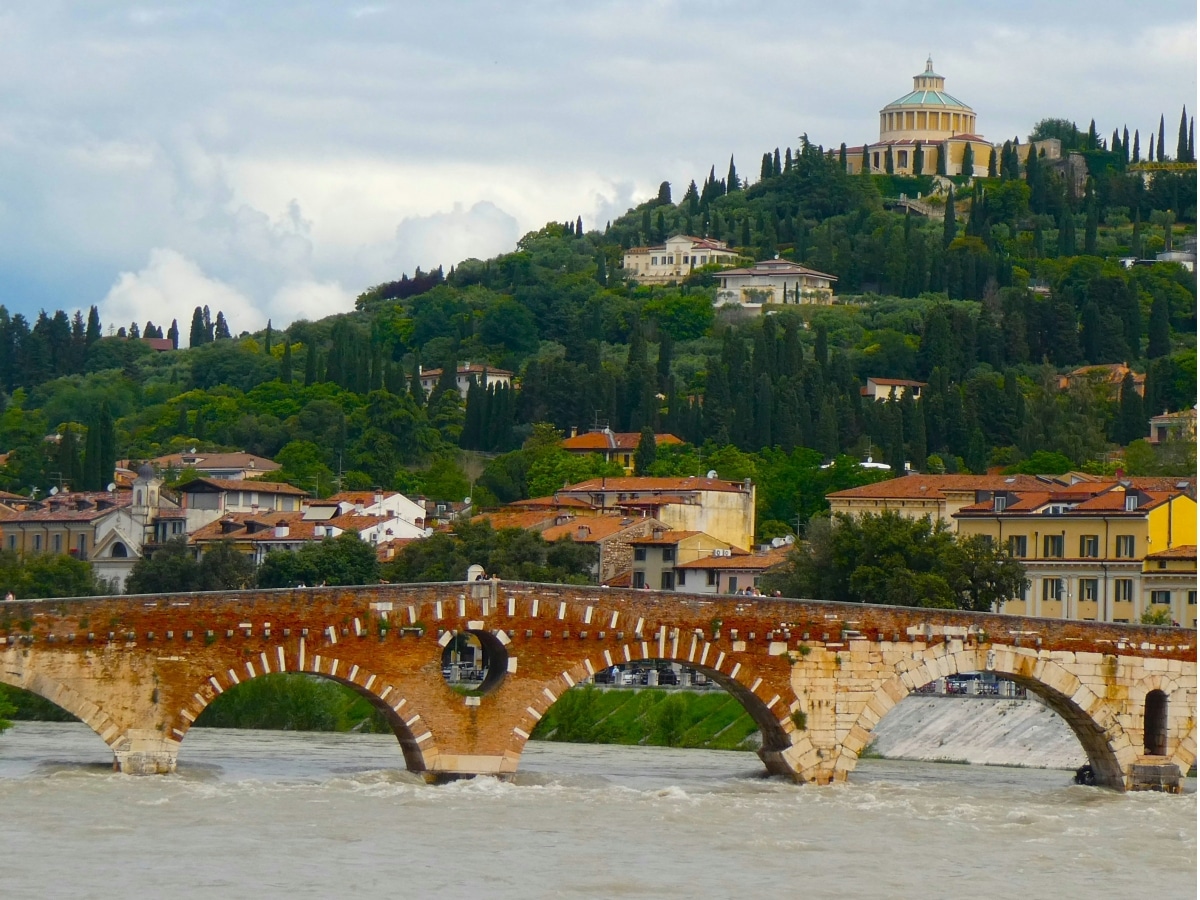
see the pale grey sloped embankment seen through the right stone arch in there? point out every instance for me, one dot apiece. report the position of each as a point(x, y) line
point(986, 731)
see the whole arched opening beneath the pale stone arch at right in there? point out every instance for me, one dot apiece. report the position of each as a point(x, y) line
point(992, 719)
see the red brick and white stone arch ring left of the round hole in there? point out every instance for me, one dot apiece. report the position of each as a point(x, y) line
point(417, 741)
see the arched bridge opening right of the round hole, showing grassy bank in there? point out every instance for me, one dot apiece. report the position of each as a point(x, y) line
point(662, 703)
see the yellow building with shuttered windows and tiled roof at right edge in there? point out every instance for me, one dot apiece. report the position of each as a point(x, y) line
point(1085, 549)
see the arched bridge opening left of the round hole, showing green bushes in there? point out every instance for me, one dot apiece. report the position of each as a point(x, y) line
point(307, 703)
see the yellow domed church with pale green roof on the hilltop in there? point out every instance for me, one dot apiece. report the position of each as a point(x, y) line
point(927, 131)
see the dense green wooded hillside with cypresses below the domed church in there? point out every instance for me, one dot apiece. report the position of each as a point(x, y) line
point(1012, 284)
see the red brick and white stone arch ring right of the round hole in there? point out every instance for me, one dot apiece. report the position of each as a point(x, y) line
point(766, 698)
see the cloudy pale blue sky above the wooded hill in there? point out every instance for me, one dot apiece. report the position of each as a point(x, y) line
point(275, 159)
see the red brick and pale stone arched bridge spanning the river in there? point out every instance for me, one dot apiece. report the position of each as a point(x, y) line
point(817, 677)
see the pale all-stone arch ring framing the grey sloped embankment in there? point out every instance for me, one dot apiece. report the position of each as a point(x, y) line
point(1093, 721)
